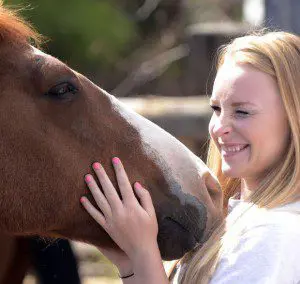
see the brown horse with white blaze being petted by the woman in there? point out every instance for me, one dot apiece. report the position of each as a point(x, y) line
point(54, 123)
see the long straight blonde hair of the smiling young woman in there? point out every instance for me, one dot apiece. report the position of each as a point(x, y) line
point(278, 55)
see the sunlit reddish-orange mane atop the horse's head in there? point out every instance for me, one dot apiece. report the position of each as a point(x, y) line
point(16, 30)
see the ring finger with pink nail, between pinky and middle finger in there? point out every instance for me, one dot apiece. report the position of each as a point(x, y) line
point(98, 195)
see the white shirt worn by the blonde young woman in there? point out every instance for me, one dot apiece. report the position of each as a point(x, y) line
point(262, 245)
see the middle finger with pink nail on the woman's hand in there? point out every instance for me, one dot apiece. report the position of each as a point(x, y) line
point(109, 191)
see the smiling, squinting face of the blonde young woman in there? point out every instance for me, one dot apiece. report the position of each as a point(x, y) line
point(249, 124)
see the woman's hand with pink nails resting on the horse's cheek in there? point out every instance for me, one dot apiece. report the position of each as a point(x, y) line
point(130, 222)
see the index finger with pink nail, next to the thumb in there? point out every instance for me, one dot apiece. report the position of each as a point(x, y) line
point(123, 181)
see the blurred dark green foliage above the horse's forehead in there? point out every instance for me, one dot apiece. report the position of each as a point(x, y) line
point(87, 34)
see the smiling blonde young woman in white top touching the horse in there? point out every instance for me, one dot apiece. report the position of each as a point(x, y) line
point(254, 152)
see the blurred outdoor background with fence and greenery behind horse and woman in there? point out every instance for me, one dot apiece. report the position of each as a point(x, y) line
point(157, 56)
